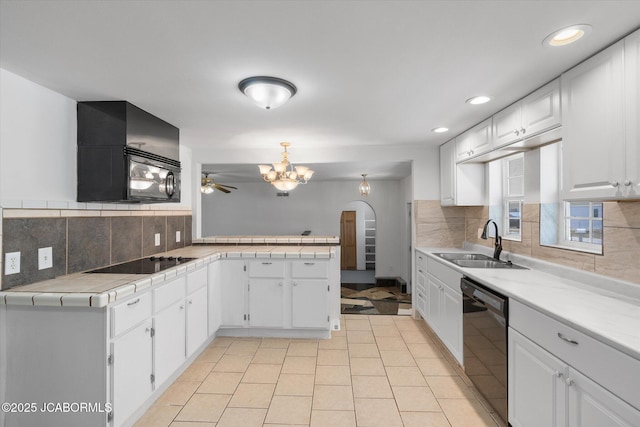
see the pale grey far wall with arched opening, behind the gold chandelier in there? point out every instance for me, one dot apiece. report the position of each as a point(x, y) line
point(255, 209)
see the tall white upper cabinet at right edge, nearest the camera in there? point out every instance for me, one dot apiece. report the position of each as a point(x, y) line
point(600, 99)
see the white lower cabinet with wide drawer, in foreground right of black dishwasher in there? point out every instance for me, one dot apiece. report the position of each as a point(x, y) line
point(546, 390)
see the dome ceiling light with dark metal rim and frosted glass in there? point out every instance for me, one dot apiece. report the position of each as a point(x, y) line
point(267, 92)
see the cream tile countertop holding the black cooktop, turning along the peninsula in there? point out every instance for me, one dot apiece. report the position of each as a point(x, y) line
point(99, 289)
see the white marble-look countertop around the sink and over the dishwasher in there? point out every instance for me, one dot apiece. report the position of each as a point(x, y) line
point(609, 312)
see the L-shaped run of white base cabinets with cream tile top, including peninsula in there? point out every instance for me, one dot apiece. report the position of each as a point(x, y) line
point(122, 339)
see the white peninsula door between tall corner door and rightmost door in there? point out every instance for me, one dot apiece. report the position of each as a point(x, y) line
point(266, 303)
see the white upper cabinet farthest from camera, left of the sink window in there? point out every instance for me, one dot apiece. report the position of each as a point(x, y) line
point(460, 184)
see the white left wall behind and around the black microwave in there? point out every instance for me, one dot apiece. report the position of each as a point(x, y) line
point(38, 131)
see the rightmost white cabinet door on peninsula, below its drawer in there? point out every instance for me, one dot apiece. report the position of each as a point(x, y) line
point(310, 303)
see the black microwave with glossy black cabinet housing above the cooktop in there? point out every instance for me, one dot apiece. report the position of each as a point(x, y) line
point(126, 155)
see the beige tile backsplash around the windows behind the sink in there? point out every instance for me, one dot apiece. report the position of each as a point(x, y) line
point(439, 226)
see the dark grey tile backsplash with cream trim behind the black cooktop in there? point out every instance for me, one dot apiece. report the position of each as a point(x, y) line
point(83, 241)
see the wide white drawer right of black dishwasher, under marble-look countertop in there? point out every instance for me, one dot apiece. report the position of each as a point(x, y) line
point(612, 369)
